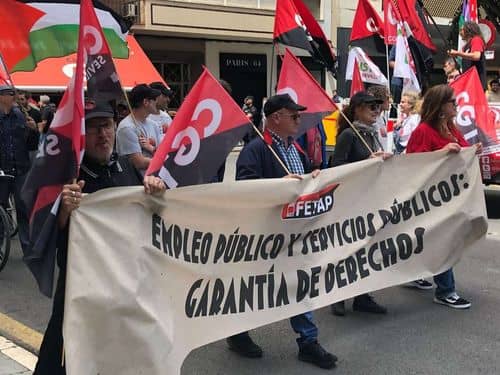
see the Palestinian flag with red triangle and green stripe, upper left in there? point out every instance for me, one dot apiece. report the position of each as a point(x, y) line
point(31, 31)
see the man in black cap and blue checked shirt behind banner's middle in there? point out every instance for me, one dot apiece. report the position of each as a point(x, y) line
point(256, 160)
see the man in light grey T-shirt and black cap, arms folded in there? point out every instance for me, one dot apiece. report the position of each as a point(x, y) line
point(138, 137)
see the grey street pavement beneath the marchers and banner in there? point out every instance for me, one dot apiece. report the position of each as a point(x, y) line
point(417, 336)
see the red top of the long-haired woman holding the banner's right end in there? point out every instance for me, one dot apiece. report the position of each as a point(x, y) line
point(425, 139)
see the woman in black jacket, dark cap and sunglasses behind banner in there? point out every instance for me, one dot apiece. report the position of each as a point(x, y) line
point(362, 111)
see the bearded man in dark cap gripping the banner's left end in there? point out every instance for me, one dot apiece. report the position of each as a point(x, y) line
point(100, 169)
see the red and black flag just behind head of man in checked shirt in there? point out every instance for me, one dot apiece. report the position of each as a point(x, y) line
point(297, 82)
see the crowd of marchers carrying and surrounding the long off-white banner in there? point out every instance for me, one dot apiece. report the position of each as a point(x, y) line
point(121, 142)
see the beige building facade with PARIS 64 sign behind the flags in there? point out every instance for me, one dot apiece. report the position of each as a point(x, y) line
point(233, 39)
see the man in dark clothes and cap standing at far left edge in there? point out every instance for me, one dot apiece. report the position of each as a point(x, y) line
point(18, 136)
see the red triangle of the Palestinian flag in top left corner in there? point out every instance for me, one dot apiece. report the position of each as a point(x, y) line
point(17, 21)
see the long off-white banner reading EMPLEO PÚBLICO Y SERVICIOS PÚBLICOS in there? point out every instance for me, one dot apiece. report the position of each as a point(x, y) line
point(151, 278)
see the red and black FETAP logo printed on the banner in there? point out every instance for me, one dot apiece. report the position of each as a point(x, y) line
point(310, 205)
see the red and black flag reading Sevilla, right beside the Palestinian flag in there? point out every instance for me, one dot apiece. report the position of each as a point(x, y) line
point(100, 71)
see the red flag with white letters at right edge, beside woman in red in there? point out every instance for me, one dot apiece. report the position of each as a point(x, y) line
point(472, 117)
